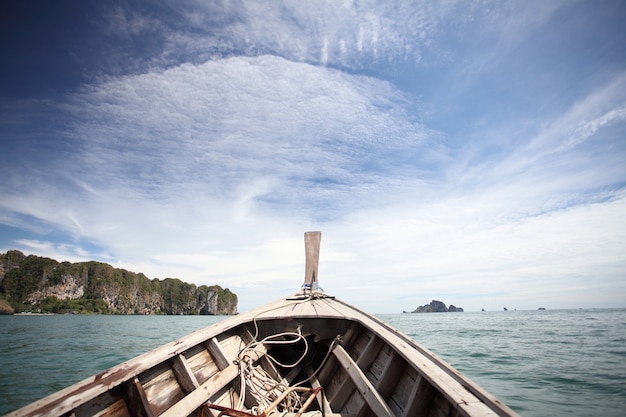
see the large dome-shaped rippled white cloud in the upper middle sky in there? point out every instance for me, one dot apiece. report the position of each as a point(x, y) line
point(239, 119)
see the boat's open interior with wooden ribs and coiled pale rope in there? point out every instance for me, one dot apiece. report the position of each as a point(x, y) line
point(306, 366)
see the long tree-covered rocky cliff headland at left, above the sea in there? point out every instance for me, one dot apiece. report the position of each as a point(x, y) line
point(33, 284)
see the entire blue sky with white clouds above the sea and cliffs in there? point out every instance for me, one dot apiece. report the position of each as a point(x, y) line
point(467, 151)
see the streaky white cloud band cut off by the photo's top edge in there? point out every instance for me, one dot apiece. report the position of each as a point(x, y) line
point(353, 35)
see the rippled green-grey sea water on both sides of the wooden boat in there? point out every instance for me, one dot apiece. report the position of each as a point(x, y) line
point(540, 363)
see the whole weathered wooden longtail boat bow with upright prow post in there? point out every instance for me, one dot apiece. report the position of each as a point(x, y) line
point(305, 355)
